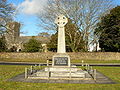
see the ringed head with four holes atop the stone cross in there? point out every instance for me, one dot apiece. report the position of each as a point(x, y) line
point(61, 20)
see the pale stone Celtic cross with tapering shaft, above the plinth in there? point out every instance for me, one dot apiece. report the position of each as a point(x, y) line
point(61, 21)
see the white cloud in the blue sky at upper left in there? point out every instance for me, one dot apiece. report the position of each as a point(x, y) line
point(31, 7)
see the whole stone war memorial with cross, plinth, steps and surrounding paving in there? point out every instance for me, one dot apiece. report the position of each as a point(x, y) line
point(61, 70)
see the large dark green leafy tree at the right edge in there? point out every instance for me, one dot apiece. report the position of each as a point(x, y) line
point(108, 31)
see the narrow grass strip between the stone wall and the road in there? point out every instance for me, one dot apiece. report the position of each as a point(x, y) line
point(44, 61)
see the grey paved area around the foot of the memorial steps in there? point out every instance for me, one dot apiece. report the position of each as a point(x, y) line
point(100, 79)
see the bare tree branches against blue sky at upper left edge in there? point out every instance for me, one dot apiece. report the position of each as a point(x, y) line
point(6, 14)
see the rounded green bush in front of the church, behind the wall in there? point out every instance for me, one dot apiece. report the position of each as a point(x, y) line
point(33, 45)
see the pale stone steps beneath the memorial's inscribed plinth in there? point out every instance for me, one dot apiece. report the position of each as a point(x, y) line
point(61, 72)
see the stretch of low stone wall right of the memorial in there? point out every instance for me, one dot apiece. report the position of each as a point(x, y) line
point(95, 56)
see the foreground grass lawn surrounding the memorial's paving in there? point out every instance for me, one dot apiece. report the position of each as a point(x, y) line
point(7, 71)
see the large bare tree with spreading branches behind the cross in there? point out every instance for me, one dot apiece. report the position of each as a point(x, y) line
point(84, 13)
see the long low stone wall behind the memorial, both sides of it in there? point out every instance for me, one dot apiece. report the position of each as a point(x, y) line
point(73, 56)
